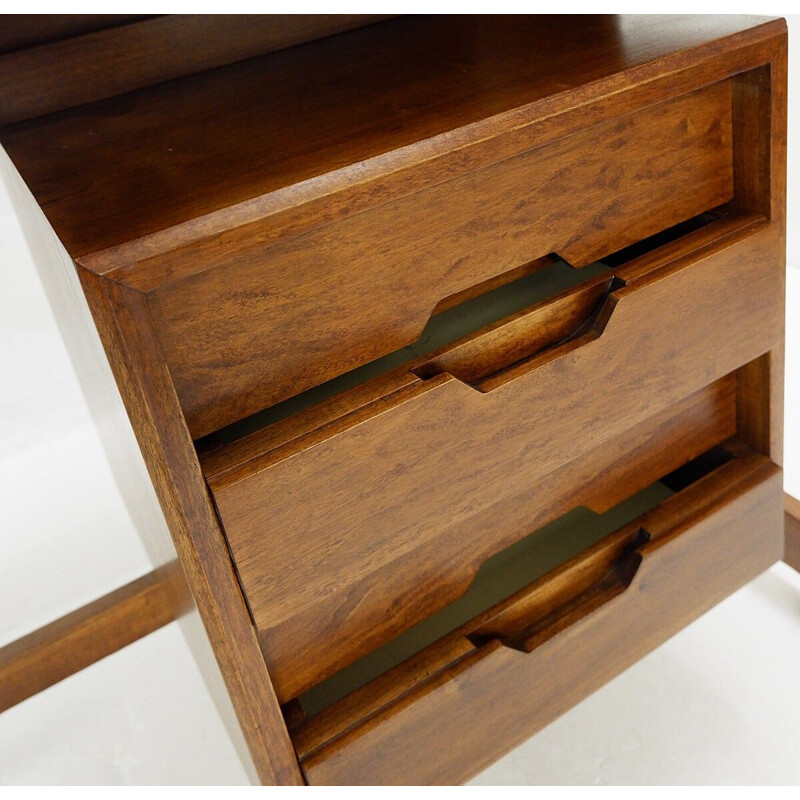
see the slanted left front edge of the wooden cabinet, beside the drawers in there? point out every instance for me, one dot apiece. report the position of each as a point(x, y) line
point(144, 383)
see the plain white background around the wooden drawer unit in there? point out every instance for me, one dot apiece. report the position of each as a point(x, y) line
point(719, 703)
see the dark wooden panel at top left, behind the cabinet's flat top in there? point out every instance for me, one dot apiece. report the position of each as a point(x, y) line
point(57, 64)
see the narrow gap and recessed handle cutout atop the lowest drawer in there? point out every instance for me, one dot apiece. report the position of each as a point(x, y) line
point(546, 582)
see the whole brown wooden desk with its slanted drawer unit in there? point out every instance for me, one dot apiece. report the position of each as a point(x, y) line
point(439, 359)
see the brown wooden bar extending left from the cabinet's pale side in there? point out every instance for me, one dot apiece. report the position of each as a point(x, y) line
point(75, 641)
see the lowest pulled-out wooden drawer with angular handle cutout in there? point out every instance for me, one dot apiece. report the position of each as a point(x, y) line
point(525, 661)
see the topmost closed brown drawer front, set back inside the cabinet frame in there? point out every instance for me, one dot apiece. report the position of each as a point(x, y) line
point(263, 321)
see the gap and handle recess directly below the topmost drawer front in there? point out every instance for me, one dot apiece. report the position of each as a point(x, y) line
point(479, 335)
